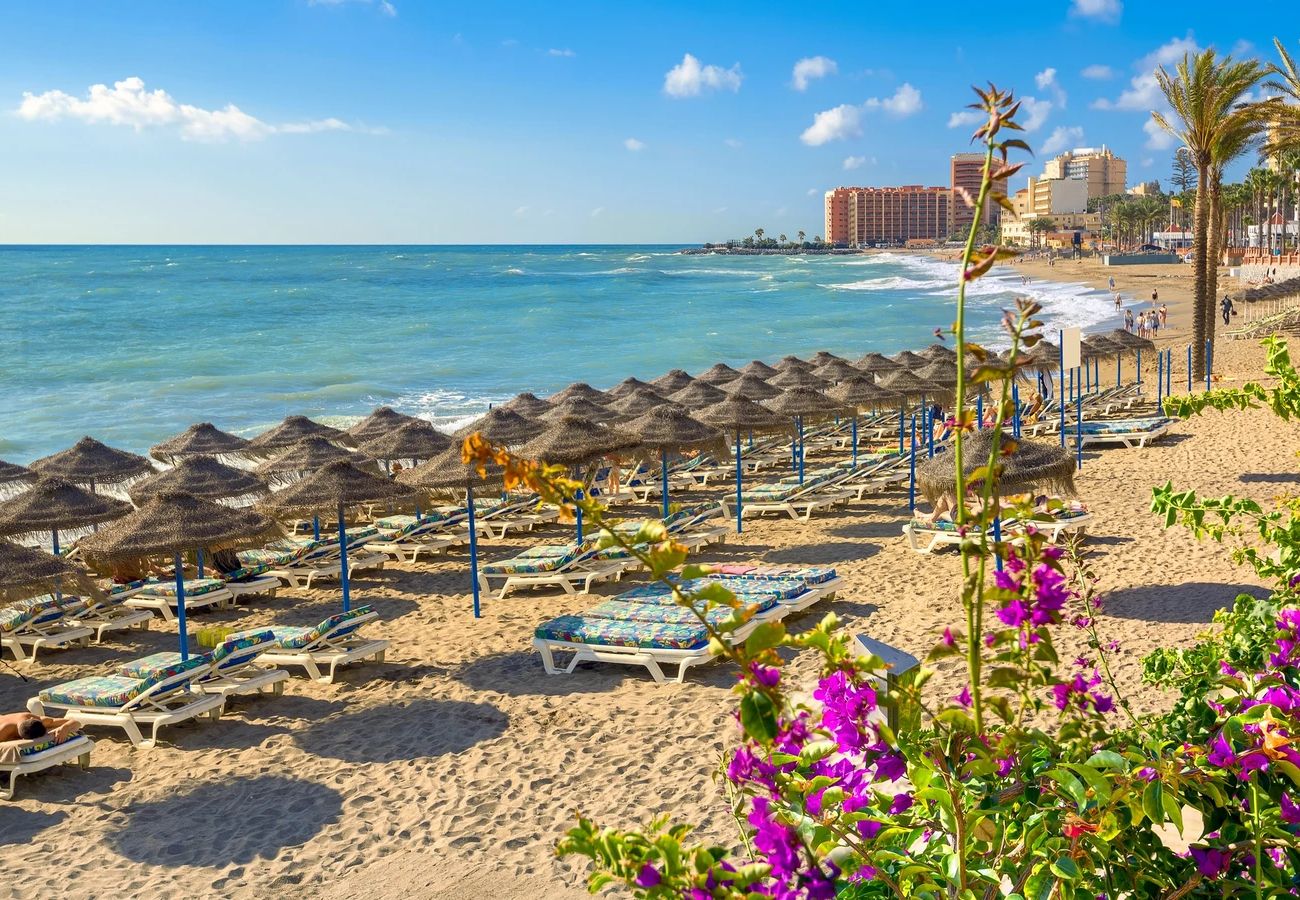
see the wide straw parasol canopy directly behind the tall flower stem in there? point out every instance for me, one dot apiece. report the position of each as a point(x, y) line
point(1032, 465)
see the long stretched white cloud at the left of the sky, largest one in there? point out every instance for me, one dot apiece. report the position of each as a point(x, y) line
point(129, 103)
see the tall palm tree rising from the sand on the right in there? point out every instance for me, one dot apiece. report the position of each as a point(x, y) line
point(1207, 97)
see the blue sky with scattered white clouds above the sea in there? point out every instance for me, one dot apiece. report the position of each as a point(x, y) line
point(414, 122)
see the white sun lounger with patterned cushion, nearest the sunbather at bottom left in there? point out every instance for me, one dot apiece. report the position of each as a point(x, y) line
point(164, 698)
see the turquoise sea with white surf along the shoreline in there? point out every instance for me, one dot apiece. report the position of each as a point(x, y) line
point(133, 344)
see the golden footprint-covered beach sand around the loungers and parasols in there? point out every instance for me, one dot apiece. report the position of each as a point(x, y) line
point(409, 777)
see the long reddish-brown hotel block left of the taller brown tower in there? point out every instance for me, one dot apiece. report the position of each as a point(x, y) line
point(866, 217)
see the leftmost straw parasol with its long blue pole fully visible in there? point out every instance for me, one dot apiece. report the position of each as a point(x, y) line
point(174, 523)
